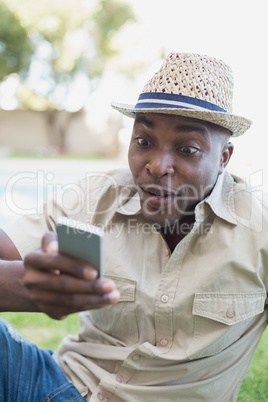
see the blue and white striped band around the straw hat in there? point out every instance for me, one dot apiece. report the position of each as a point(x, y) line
point(161, 100)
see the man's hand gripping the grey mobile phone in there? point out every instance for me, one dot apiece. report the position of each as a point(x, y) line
point(60, 285)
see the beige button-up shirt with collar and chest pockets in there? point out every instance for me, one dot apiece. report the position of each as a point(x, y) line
point(187, 323)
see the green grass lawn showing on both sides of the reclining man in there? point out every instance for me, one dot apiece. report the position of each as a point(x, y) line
point(48, 333)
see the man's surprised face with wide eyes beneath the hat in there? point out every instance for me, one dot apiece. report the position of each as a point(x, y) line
point(175, 162)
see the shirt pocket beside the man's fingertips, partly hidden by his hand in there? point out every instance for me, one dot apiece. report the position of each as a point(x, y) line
point(119, 320)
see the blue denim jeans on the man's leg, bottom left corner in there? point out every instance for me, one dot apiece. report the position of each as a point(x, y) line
point(30, 374)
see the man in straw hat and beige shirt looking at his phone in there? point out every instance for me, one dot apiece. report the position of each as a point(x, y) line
point(181, 309)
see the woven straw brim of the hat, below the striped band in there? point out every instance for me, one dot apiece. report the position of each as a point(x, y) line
point(236, 124)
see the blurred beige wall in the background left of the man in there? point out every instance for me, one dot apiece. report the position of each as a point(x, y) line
point(51, 131)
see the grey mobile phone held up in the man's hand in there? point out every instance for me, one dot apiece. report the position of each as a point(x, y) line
point(81, 240)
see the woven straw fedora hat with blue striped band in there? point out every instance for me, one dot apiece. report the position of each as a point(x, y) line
point(194, 86)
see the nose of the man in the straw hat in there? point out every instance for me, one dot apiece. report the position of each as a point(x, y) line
point(160, 164)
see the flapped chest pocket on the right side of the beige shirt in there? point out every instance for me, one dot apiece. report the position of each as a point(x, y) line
point(219, 319)
